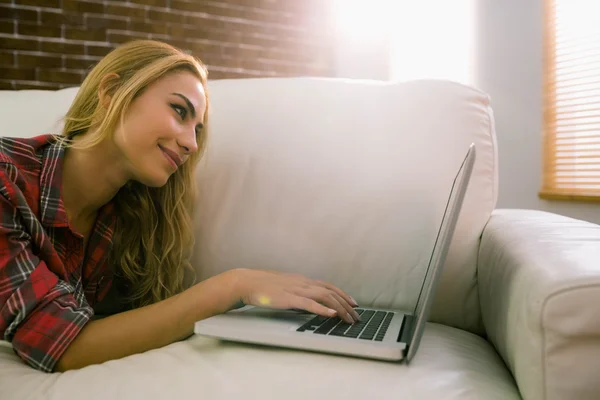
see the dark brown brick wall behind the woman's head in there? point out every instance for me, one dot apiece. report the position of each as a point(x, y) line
point(49, 44)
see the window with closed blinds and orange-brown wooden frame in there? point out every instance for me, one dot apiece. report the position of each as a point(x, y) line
point(571, 125)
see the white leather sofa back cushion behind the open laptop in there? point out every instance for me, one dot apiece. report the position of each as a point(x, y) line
point(347, 182)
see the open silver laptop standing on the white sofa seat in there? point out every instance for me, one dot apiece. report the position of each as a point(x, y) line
point(391, 335)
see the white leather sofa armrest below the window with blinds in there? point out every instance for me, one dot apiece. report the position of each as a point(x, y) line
point(539, 287)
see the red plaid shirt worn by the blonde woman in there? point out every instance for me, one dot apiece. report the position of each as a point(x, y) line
point(48, 286)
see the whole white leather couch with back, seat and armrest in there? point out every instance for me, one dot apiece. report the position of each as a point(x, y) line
point(346, 181)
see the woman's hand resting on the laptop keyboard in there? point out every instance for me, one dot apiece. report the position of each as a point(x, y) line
point(292, 291)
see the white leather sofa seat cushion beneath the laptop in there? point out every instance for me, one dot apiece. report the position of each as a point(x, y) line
point(450, 364)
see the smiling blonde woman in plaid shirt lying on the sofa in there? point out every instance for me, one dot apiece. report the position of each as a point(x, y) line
point(102, 213)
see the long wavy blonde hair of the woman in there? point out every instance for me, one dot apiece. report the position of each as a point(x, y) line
point(153, 237)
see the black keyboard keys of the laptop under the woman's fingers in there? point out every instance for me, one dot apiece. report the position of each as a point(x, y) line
point(372, 325)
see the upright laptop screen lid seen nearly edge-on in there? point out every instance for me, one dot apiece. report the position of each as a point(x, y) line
point(440, 250)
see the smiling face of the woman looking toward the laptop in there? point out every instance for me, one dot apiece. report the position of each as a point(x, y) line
point(162, 127)
